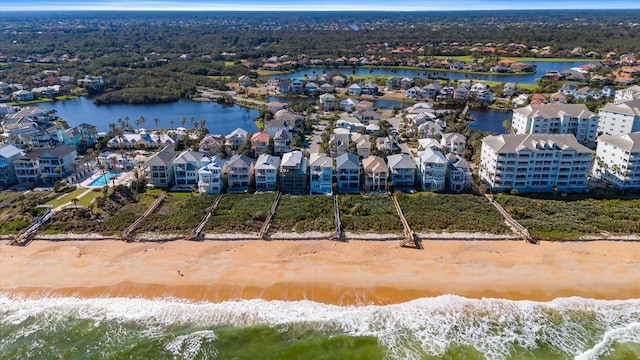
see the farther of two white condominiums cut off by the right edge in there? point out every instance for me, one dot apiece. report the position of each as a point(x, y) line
point(620, 118)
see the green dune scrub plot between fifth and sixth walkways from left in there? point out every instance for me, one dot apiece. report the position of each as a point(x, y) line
point(370, 213)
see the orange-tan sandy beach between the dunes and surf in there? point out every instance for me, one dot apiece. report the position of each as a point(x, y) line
point(357, 272)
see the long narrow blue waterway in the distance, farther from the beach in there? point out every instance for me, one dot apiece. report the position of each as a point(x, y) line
point(542, 67)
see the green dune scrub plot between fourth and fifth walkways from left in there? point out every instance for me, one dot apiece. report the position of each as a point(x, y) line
point(304, 213)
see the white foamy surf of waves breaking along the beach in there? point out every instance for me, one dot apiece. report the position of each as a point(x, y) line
point(409, 330)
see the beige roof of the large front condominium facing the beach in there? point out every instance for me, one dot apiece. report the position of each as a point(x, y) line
point(511, 143)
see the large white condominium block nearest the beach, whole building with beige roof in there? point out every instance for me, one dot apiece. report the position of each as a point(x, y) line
point(535, 162)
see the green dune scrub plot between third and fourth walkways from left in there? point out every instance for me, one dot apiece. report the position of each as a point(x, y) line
point(240, 213)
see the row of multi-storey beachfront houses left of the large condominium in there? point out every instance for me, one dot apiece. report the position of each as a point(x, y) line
point(294, 173)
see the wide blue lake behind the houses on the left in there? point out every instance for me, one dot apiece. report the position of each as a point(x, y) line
point(220, 119)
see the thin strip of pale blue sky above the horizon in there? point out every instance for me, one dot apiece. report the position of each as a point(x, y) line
point(310, 5)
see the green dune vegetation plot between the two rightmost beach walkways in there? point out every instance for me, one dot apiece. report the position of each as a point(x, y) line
point(451, 212)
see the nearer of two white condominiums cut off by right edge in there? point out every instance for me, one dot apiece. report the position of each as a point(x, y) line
point(618, 160)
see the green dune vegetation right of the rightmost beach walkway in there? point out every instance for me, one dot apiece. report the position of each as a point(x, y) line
point(573, 218)
